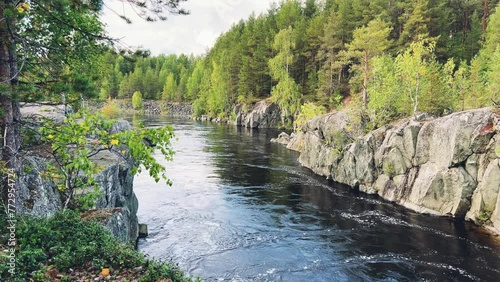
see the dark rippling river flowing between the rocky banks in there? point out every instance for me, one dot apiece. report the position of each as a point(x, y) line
point(242, 209)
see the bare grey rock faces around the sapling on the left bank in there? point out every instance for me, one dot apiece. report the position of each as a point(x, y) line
point(38, 195)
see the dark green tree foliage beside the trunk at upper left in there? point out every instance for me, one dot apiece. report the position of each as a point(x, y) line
point(64, 42)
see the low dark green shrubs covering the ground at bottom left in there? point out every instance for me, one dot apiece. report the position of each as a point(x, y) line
point(66, 248)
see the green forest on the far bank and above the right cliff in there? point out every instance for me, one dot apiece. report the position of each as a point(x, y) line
point(385, 59)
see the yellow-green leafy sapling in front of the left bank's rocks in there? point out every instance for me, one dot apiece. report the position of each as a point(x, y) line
point(82, 136)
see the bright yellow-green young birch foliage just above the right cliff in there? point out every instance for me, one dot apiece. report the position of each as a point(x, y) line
point(415, 81)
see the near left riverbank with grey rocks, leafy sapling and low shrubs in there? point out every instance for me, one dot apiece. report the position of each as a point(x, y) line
point(92, 238)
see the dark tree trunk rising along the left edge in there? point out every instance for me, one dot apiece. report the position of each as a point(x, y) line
point(11, 114)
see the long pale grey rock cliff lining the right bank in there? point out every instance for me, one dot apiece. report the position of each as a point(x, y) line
point(448, 166)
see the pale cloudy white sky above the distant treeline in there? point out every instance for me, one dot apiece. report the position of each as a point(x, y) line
point(191, 34)
